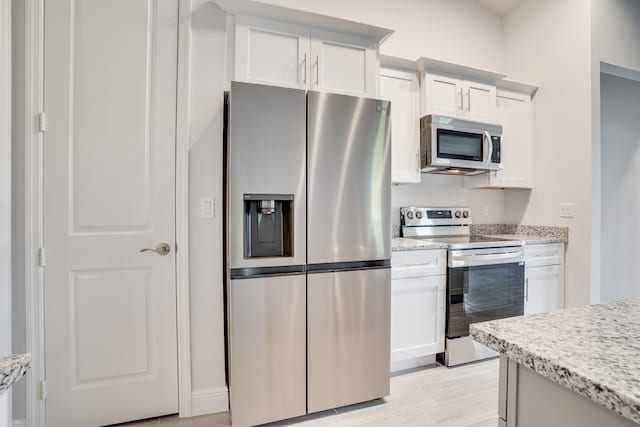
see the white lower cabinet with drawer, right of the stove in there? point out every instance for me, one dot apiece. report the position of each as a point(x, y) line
point(544, 278)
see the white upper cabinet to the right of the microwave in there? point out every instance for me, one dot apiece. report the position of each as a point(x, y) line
point(516, 148)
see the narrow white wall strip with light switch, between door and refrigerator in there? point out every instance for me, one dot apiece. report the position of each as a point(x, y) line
point(205, 180)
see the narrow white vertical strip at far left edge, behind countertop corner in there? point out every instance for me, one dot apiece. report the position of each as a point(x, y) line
point(5, 195)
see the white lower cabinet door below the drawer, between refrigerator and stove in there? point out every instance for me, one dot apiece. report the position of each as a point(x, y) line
point(417, 317)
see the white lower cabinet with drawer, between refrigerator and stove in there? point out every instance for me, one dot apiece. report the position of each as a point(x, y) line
point(417, 304)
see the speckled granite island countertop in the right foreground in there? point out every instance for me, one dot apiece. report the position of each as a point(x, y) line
point(592, 350)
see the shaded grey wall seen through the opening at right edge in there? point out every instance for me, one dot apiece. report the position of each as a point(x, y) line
point(620, 104)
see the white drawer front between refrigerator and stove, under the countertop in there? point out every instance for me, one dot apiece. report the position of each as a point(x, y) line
point(406, 264)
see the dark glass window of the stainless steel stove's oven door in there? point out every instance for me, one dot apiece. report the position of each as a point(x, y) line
point(478, 294)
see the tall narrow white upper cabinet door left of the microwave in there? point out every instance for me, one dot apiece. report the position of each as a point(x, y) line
point(403, 90)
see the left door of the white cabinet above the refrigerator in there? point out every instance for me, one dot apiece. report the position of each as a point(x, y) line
point(271, 52)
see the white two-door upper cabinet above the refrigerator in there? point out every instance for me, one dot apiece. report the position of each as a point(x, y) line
point(290, 55)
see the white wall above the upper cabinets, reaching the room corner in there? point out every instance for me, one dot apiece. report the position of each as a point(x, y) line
point(458, 31)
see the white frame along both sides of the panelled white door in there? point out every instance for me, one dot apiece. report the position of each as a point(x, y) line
point(33, 170)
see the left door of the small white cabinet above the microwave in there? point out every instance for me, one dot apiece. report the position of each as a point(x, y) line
point(443, 95)
